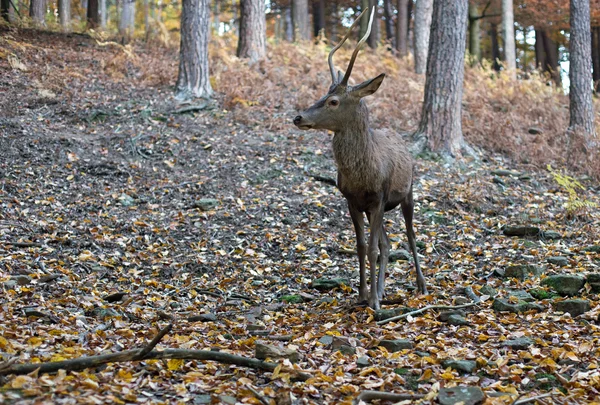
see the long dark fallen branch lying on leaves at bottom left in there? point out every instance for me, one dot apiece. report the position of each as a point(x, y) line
point(82, 363)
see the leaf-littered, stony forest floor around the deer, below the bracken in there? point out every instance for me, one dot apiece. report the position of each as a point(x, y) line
point(119, 215)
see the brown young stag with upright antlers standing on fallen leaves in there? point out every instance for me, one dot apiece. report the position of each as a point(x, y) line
point(375, 169)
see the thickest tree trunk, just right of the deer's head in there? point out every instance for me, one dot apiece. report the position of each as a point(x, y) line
point(441, 125)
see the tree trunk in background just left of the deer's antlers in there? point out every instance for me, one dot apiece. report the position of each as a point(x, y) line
point(252, 38)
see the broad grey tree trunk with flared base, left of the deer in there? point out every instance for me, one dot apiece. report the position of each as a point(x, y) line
point(193, 79)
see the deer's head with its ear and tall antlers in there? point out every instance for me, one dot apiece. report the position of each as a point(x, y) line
point(342, 100)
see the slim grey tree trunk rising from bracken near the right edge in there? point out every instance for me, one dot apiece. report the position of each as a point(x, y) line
point(580, 73)
